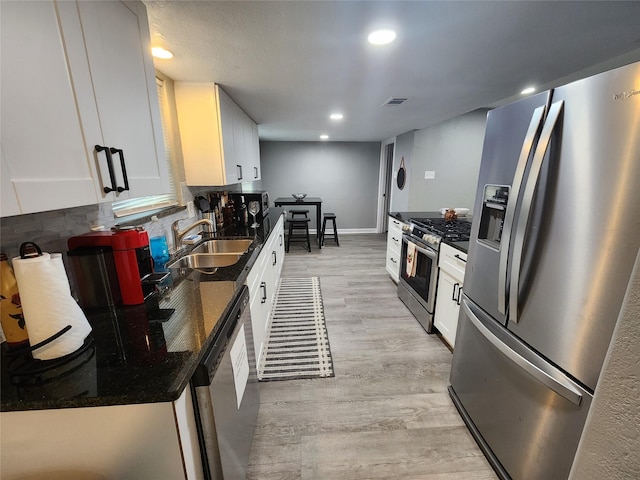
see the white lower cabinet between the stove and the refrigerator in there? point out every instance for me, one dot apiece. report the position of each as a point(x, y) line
point(452, 264)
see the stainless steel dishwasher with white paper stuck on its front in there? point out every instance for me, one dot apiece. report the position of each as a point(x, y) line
point(227, 397)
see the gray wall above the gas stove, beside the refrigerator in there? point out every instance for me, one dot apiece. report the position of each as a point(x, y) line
point(453, 150)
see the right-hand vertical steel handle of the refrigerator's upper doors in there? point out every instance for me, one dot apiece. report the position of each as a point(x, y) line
point(527, 201)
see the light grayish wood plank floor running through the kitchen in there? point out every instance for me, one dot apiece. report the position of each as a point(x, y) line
point(386, 414)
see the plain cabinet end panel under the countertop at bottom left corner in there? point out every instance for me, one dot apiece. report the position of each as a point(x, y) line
point(139, 441)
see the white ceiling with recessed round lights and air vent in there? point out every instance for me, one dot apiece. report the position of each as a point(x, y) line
point(289, 64)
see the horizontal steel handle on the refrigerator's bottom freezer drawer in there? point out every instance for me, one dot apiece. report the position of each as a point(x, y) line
point(563, 389)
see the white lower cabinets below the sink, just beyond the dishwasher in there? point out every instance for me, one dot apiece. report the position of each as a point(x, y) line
point(263, 283)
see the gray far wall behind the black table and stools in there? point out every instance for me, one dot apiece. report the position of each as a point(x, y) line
point(344, 174)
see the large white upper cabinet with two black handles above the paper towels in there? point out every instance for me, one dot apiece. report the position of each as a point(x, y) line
point(77, 75)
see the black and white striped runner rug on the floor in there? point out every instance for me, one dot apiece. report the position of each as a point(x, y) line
point(297, 344)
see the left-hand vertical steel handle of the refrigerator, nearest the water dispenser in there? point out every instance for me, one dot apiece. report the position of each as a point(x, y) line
point(527, 147)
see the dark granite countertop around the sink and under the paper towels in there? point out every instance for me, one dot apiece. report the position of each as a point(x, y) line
point(145, 353)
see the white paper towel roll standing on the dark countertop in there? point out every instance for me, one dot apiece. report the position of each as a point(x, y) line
point(48, 306)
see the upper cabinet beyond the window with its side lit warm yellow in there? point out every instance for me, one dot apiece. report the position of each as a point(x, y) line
point(219, 140)
